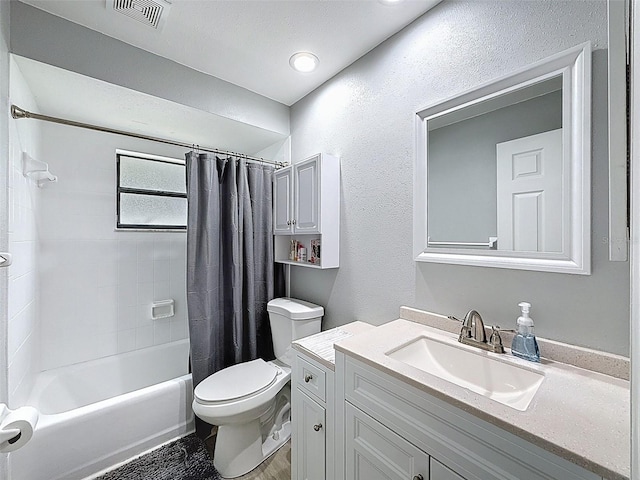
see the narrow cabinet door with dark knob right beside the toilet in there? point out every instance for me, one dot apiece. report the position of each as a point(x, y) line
point(309, 446)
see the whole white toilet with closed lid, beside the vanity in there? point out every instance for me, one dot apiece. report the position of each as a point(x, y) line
point(251, 402)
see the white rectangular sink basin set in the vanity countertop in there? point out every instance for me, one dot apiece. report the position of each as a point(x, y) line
point(509, 384)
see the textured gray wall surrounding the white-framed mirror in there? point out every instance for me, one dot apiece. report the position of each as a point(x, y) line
point(365, 115)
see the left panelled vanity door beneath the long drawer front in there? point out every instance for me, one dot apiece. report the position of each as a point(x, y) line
point(373, 452)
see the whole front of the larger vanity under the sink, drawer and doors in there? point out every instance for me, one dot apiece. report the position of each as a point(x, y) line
point(394, 430)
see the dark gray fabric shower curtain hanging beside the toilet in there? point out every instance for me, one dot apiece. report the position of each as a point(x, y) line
point(230, 270)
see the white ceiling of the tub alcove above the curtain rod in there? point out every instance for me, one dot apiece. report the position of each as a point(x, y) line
point(55, 91)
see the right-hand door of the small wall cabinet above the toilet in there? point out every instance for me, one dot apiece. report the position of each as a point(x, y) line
point(307, 196)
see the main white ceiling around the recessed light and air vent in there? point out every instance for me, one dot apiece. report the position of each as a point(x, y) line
point(249, 42)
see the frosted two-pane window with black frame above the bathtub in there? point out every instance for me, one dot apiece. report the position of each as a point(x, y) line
point(151, 193)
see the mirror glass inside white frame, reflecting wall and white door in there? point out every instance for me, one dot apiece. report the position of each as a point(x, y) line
point(495, 172)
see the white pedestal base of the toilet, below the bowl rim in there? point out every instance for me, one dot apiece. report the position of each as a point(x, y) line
point(239, 448)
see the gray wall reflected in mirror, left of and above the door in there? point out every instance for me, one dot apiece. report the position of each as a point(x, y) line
point(462, 193)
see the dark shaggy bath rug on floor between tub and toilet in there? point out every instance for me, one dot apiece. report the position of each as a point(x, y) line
point(185, 459)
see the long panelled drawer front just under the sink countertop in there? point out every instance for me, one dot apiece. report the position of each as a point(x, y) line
point(473, 448)
